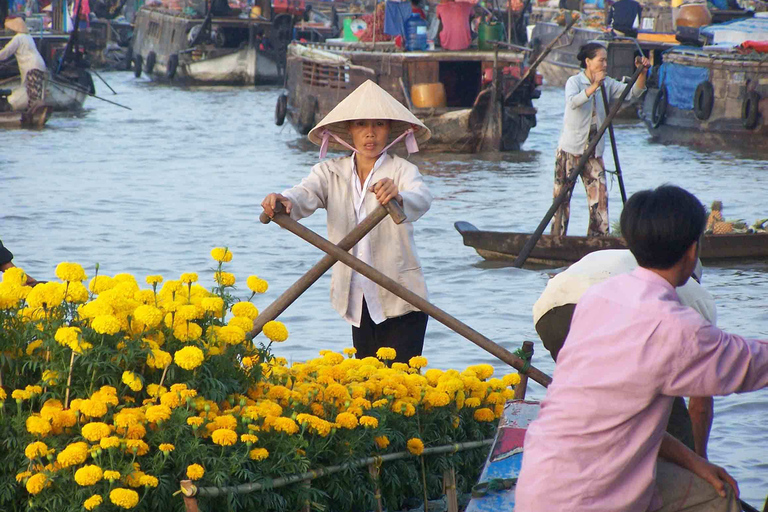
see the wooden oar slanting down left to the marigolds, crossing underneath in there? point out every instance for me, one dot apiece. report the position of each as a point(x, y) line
point(392, 208)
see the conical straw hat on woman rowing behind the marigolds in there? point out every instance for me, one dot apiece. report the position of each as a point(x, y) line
point(369, 101)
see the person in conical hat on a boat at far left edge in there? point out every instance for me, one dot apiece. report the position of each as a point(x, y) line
point(31, 64)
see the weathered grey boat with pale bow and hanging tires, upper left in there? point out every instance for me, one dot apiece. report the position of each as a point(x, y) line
point(170, 45)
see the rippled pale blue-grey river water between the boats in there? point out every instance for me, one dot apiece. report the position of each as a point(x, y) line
point(152, 190)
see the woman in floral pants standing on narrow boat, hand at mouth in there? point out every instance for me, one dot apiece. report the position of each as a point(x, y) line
point(584, 113)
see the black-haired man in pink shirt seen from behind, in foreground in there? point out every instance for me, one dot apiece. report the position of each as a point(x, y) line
point(599, 442)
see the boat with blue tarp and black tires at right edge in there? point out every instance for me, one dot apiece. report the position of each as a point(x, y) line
point(711, 96)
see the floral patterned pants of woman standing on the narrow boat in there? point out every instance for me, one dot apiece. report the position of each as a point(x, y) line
point(593, 178)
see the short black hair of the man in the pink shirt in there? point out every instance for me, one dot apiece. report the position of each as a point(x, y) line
point(660, 225)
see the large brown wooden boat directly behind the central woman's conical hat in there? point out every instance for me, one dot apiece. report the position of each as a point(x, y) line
point(321, 75)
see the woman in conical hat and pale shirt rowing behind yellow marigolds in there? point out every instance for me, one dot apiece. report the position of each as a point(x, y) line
point(368, 122)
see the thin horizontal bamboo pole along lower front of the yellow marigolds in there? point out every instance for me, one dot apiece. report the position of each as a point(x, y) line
point(190, 490)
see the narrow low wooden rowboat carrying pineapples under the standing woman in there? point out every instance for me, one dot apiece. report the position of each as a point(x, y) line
point(553, 251)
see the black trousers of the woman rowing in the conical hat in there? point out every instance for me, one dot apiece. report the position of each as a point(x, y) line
point(404, 333)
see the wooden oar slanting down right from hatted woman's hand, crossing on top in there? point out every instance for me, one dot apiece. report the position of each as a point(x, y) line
point(396, 288)
